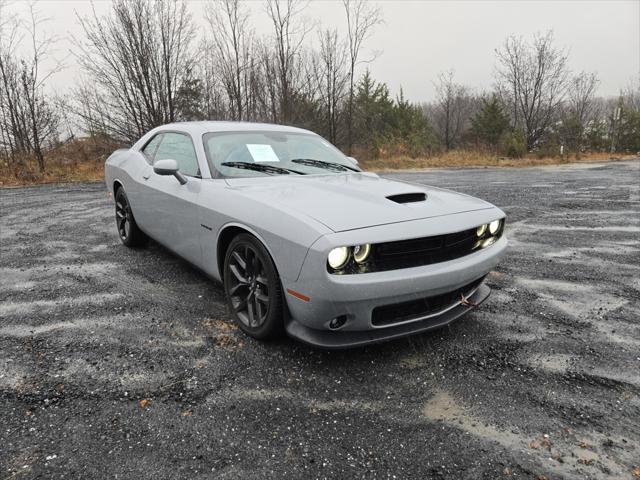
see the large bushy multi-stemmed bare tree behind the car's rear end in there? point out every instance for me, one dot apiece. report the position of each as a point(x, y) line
point(137, 59)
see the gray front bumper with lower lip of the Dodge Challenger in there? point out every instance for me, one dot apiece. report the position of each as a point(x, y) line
point(354, 298)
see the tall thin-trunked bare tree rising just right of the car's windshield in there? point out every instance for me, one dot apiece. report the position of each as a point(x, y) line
point(362, 16)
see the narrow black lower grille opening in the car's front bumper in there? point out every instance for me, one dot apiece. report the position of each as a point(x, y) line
point(402, 312)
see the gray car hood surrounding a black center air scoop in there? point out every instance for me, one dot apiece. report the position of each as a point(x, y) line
point(355, 200)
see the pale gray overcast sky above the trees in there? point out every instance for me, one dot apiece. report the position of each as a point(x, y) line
point(421, 38)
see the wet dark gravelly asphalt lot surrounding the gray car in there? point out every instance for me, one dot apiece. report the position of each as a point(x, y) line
point(119, 363)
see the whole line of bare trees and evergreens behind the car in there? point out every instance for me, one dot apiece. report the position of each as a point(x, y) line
point(145, 63)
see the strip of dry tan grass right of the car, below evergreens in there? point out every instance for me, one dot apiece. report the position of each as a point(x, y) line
point(467, 158)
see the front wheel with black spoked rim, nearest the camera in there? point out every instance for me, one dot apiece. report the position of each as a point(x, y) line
point(253, 289)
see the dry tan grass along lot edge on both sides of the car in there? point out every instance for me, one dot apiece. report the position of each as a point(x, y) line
point(82, 160)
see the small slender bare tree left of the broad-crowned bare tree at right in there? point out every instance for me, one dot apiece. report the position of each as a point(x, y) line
point(452, 110)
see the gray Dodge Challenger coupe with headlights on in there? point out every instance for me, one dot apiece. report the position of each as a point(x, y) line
point(301, 238)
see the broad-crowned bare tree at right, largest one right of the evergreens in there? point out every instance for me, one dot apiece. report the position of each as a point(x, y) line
point(532, 77)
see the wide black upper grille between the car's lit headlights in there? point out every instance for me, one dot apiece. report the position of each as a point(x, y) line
point(423, 251)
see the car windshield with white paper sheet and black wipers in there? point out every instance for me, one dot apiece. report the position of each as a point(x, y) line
point(249, 154)
